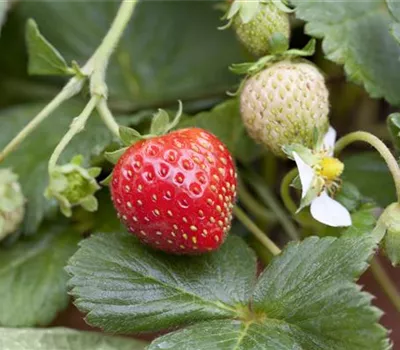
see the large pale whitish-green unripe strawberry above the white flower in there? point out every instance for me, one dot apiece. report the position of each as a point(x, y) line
point(284, 104)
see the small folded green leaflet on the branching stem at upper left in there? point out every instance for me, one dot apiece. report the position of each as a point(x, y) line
point(44, 59)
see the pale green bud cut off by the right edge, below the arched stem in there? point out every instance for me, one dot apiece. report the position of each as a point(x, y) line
point(391, 242)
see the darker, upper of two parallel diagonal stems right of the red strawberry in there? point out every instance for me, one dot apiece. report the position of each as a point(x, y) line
point(270, 200)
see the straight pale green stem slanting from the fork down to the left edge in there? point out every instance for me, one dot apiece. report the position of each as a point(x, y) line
point(70, 89)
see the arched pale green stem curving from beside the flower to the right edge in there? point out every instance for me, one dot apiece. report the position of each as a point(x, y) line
point(379, 146)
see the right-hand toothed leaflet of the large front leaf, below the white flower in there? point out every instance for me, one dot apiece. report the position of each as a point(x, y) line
point(319, 274)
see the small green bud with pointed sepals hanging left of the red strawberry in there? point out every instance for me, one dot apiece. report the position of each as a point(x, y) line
point(72, 185)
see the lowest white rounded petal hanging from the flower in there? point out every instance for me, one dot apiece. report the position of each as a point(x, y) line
point(330, 212)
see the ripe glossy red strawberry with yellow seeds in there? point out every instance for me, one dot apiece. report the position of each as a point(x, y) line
point(176, 192)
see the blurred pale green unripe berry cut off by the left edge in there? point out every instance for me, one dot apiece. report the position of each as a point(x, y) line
point(12, 203)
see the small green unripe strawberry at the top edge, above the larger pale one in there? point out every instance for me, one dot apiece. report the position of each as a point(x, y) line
point(255, 35)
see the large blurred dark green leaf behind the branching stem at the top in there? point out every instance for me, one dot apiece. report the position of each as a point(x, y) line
point(148, 69)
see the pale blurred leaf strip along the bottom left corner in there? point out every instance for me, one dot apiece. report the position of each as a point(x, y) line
point(63, 339)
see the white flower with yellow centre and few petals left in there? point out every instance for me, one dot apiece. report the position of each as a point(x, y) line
point(319, 173)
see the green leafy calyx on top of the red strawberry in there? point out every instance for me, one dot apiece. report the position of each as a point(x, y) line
point(160, 125)
